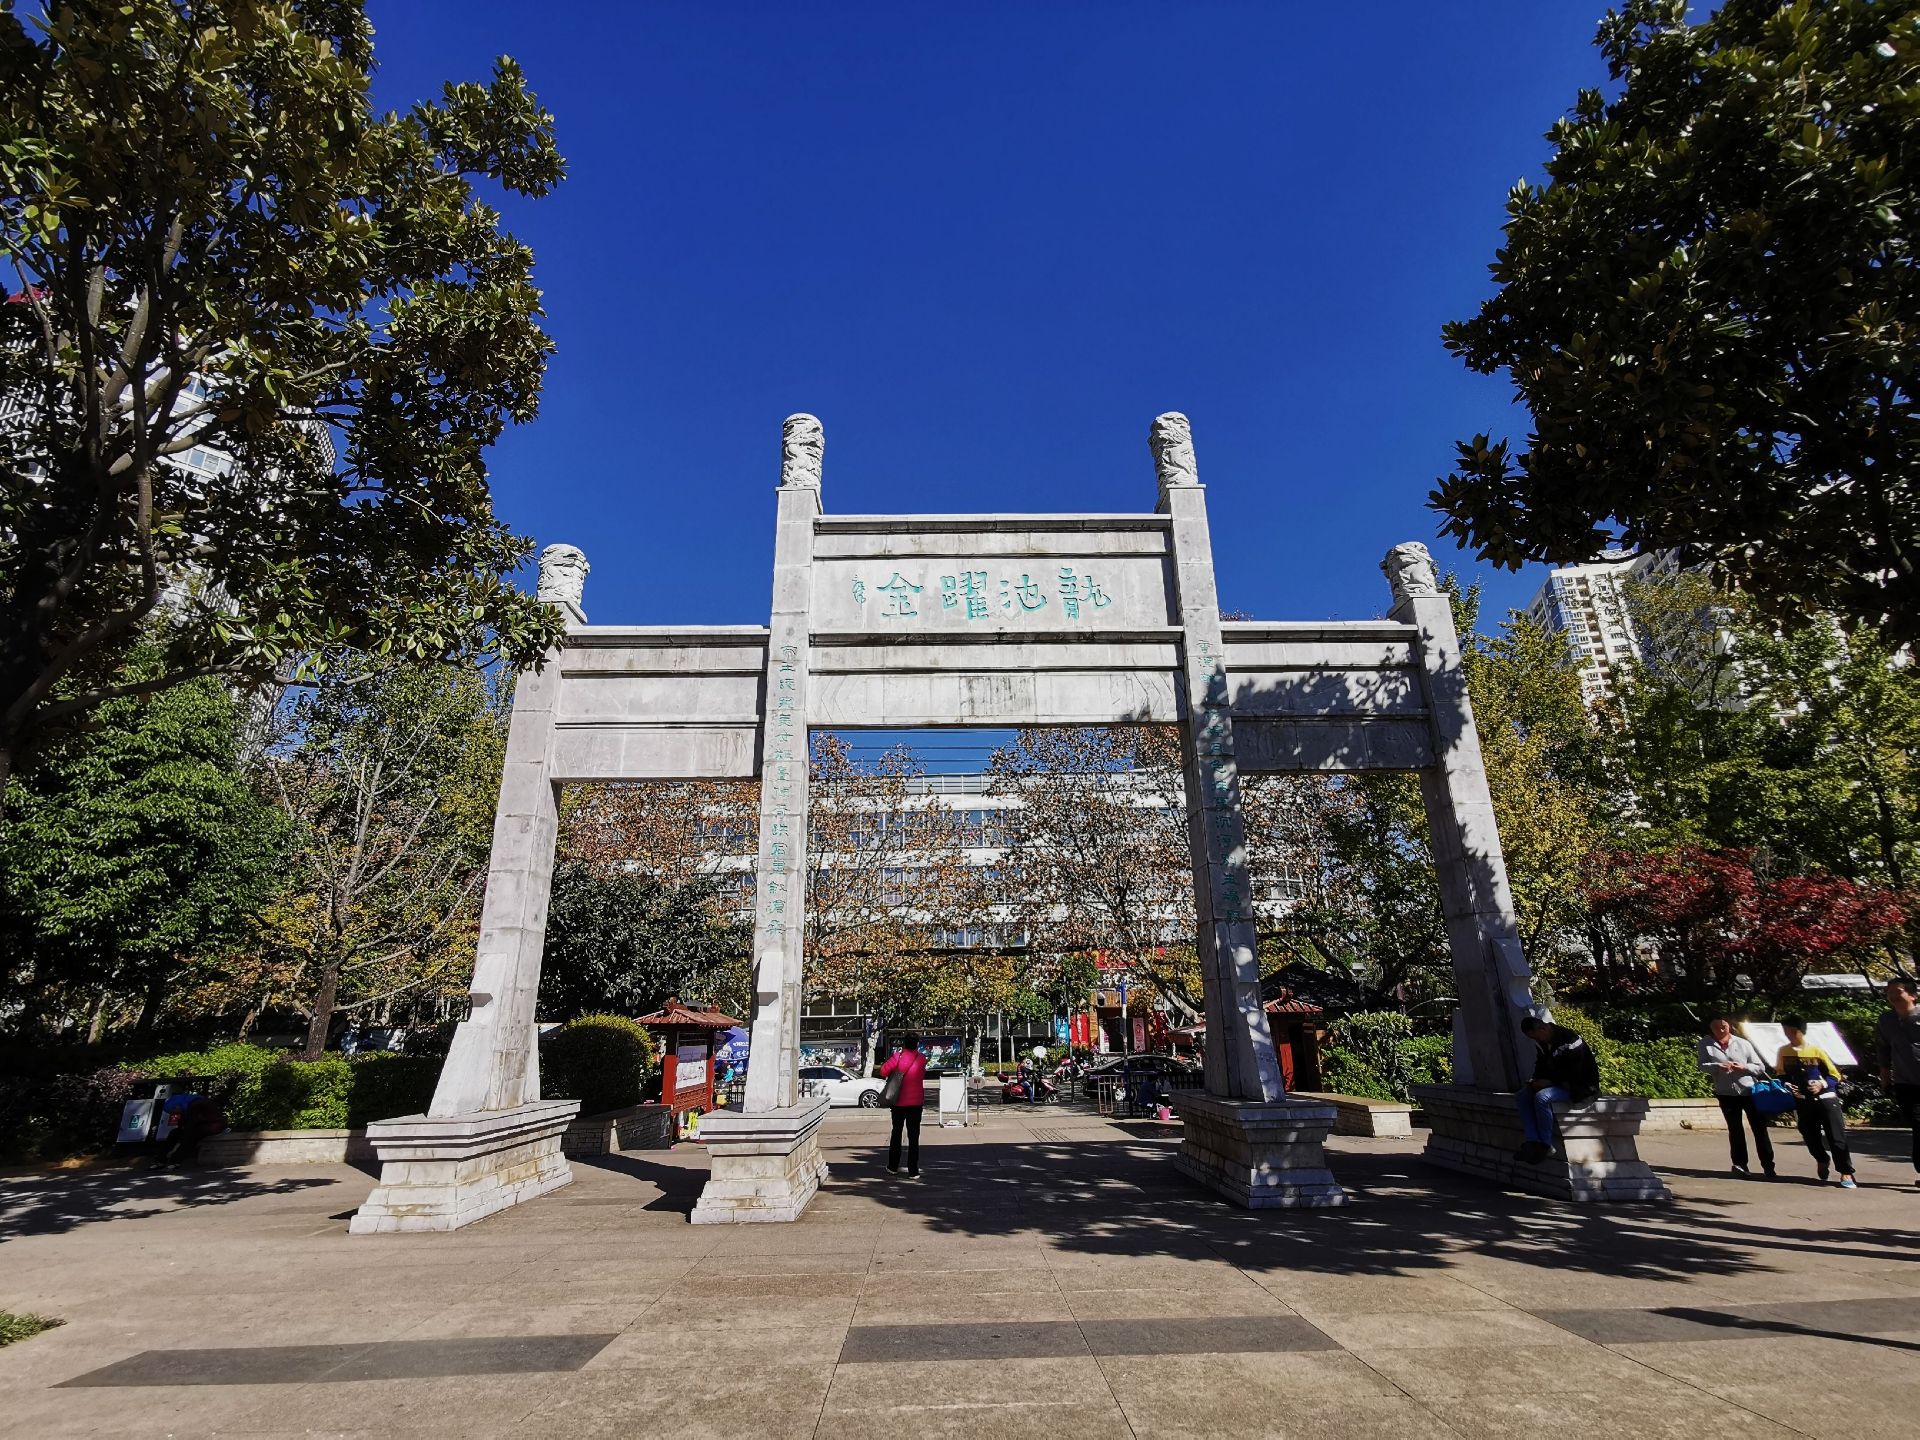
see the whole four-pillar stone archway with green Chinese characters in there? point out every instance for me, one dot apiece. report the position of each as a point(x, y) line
point(996, 621)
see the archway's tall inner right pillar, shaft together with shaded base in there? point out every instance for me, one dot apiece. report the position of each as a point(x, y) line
point(1243, 1138)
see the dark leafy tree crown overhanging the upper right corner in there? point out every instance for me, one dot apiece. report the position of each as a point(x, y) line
point(1708, 312)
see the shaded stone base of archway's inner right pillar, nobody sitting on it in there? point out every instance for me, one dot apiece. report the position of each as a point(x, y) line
point(1259, 1155)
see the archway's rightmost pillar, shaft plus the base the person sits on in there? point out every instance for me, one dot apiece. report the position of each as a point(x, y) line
point(1476, 1124)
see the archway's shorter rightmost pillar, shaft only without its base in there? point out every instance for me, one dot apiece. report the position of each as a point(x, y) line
point(1491, 972)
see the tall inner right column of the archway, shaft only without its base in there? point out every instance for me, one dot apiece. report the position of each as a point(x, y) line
point(1241, 1063)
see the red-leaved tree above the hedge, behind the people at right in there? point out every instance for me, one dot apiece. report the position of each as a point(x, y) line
point(1723, 924)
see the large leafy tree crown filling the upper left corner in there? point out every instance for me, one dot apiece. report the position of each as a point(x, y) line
point(214, 241)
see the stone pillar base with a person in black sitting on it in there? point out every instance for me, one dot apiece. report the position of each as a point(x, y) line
point(1479, 1132)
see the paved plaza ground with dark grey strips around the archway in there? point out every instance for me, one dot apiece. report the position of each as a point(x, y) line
point(1049, 1278)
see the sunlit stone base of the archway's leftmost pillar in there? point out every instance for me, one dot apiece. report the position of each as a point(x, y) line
point(443, 1172)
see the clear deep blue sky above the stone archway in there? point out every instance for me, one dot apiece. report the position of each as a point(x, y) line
point(988, 245)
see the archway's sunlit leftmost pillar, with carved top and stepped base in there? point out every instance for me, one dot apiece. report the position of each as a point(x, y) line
point(489, 1141)
